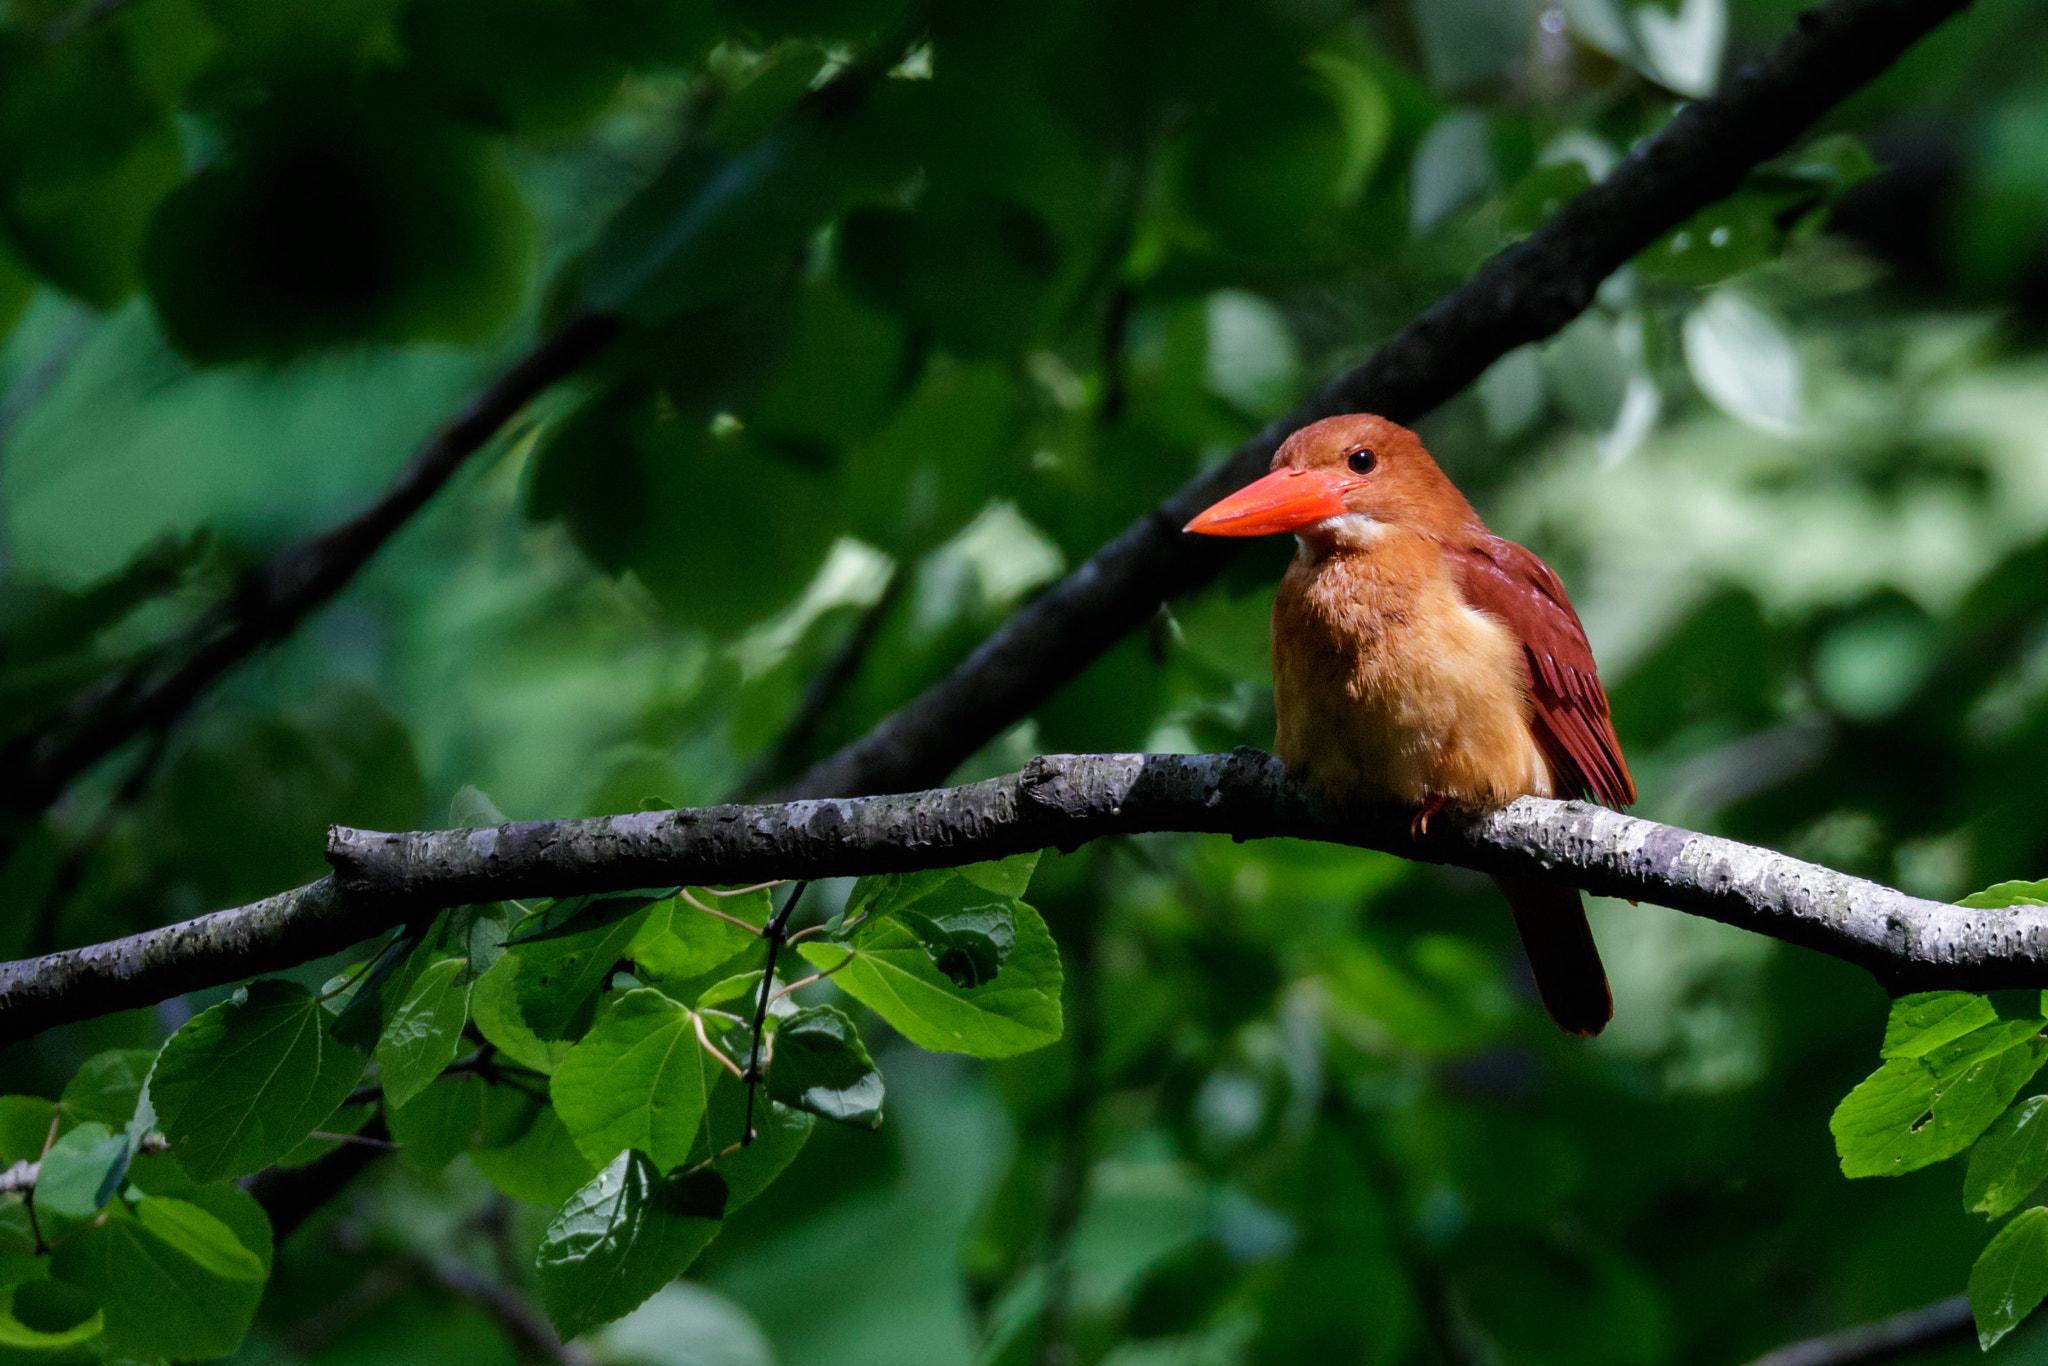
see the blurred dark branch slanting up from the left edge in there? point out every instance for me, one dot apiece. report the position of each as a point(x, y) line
point(275, 597)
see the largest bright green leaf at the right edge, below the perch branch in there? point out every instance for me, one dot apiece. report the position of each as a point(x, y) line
point(1920, 1111)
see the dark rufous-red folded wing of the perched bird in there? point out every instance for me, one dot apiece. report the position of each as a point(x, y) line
point(1572, 712)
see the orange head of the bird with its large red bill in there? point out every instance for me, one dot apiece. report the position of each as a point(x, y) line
point(1345, 482)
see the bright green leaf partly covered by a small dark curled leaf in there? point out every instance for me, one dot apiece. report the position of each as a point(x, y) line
point(894, 976)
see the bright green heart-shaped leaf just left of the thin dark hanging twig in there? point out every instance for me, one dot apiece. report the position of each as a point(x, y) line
point(638, 1080)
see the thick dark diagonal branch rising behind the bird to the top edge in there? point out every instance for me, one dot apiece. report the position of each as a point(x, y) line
point(1523, 296)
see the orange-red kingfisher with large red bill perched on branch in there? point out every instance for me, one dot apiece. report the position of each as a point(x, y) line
point(1426, 663)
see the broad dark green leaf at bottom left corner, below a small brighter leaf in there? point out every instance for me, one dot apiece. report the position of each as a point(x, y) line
point(159, 1301)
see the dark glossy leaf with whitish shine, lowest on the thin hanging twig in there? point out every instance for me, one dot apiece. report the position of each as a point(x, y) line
point(622, 1238)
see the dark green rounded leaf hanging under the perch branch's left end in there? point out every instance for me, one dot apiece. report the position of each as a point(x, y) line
point(247, 1080)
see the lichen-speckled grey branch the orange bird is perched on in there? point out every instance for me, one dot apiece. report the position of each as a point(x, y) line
point(1056, 802)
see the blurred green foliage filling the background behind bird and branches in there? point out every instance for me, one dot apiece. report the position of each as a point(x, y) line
point(927, 304)
